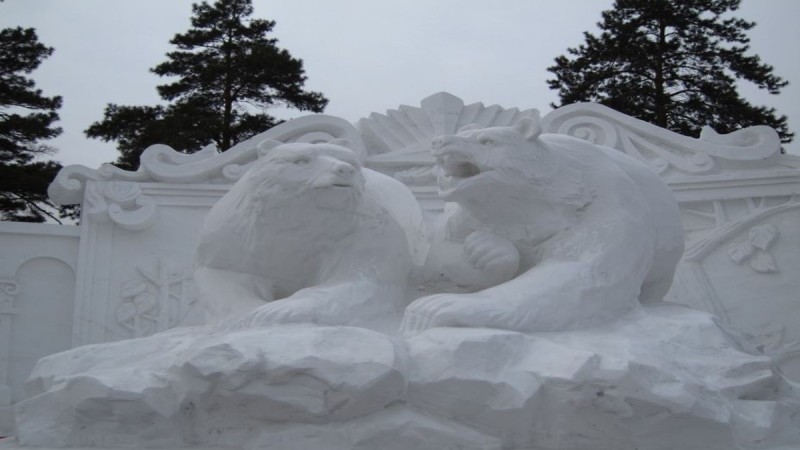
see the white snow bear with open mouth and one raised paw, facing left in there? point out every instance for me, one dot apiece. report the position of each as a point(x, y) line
point(556, 233)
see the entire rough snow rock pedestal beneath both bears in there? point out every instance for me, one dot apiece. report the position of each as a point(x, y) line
point(660, 378)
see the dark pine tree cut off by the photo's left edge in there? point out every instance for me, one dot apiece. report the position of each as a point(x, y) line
point(26, 117)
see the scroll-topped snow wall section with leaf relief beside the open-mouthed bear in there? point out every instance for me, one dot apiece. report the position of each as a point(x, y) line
point(740, 202)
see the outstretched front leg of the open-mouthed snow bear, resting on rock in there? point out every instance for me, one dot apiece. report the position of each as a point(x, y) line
point(590, 276)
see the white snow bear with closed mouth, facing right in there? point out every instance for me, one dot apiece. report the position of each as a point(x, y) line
point(304, 236)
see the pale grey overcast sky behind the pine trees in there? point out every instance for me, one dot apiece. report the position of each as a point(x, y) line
point(364, 55)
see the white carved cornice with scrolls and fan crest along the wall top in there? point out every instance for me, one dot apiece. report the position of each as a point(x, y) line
point(397, 143)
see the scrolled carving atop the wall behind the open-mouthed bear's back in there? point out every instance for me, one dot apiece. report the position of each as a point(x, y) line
point(663, 150)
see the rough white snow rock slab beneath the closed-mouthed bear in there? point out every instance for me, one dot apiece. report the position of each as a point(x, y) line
point(200, 386)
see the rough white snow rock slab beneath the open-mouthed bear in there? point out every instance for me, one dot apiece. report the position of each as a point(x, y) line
point(627, 385)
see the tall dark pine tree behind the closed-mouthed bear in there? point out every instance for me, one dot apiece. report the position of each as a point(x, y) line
point(229, 72)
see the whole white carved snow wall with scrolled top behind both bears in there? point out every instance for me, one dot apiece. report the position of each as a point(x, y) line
point(740, 200)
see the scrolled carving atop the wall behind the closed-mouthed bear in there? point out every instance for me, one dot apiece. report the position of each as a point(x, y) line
point(160, 163)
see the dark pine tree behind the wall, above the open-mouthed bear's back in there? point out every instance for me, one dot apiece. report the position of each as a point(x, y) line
point(673, 63)
